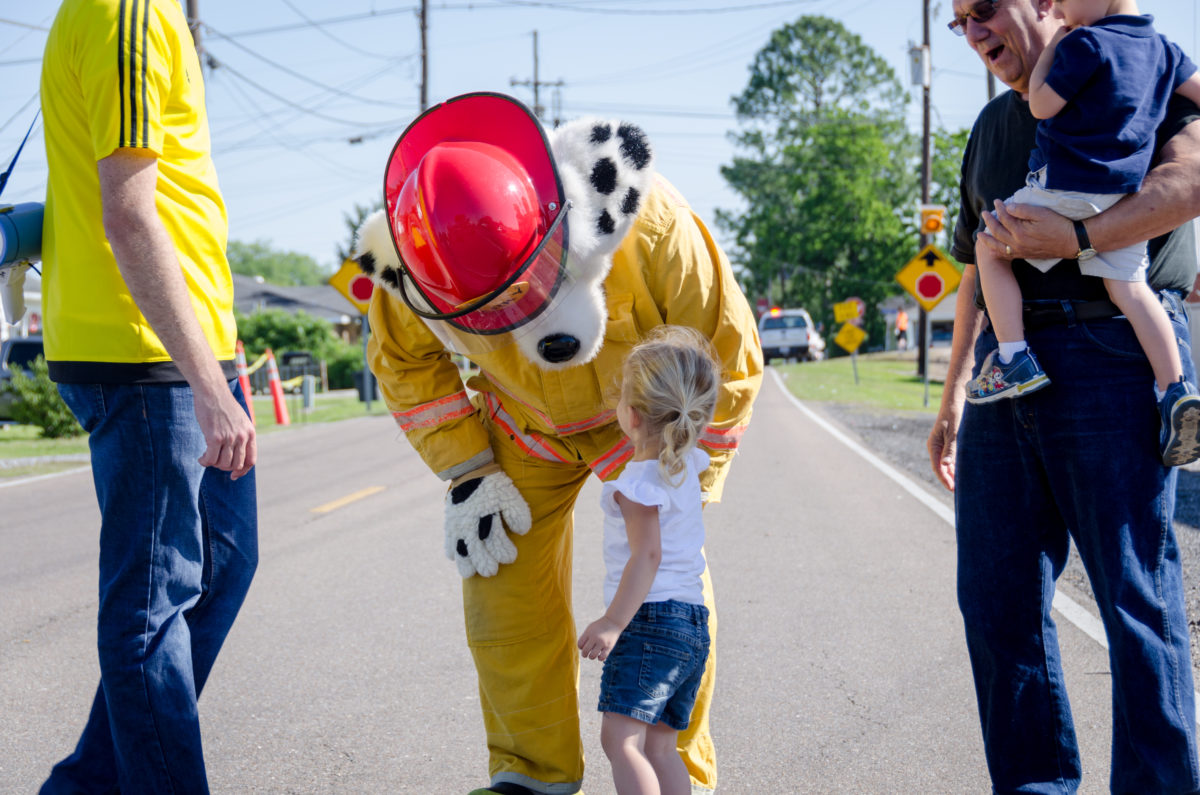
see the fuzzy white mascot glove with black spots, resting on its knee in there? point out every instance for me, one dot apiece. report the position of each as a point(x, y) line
point(479, 506)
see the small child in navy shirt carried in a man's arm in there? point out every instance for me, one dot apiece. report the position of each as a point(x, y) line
point(1101, 88)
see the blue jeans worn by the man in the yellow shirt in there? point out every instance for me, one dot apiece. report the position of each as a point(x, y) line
point(178, 549)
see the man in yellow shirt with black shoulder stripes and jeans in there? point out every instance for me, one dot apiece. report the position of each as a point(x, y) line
point(140, 337)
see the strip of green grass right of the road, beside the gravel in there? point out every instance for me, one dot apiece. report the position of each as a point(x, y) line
point(886, 381)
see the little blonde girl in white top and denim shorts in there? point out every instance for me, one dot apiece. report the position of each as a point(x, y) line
point(653, 637)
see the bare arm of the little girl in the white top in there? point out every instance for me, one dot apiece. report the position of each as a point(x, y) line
point(645, 554)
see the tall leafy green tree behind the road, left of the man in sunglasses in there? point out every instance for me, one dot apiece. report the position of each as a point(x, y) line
point(829, 172)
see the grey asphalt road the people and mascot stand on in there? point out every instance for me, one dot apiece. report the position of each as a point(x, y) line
point(843, 667)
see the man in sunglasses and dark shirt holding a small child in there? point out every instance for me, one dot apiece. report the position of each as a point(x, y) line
point(1077, 462)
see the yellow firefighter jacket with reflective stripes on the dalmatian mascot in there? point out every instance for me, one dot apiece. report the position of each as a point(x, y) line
point(668, 270)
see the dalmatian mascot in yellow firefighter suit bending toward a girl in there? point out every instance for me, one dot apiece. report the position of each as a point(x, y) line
point(542, 258)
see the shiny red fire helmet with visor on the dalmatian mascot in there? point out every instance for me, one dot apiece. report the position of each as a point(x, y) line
point(477, 213)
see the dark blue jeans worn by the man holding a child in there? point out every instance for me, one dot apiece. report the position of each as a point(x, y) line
point(1077, 461)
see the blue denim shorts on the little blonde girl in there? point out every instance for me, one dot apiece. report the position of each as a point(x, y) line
point(653, 672)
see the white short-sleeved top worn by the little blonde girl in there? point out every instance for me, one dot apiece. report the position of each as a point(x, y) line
point(682, 529)
